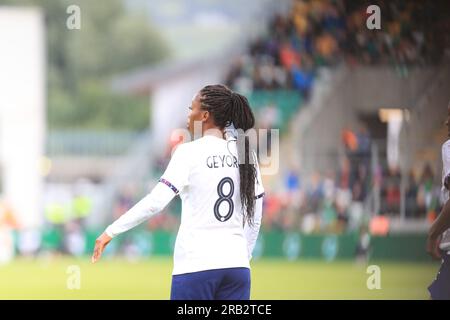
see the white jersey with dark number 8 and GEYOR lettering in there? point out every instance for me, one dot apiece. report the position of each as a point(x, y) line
point(205, 174)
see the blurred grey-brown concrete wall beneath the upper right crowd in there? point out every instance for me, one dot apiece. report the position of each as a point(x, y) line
point(342, 94)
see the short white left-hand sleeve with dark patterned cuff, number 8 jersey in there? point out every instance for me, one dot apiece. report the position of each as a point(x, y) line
point(176, 176)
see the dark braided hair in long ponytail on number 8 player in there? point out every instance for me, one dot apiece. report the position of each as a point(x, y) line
point(226, 107)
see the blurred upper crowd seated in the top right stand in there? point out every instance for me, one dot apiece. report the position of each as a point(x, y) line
point(325, 32)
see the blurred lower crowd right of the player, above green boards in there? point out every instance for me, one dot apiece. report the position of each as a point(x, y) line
point(344, 199)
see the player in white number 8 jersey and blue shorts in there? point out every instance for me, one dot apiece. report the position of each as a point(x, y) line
point(221, 192)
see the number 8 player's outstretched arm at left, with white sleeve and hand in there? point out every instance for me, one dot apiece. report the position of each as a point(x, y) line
point(174, 179)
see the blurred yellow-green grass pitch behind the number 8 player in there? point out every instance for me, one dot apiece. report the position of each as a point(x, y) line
point(114, 278)
